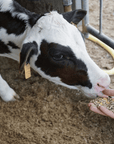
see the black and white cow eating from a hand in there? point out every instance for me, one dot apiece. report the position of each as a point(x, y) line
point(53, 47)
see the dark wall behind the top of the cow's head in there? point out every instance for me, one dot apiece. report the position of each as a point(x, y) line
point(43, 6)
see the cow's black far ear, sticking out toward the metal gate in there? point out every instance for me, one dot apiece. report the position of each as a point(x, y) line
point(74, 16)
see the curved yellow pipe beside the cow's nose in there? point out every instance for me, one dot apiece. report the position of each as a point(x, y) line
point(106, 47)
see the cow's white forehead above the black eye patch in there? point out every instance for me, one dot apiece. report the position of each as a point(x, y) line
point(54, 28)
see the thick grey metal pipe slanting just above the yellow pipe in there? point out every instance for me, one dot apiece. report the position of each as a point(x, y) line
point(101, 36)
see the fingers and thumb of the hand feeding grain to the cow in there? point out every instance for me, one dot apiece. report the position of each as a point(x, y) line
point(101, 109)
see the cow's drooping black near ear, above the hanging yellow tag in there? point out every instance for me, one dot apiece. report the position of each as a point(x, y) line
point(28, 50)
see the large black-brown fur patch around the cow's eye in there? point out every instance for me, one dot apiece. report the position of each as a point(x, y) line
point(59, 61)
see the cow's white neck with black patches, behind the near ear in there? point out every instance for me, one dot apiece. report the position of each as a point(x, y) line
point(14, 44)
